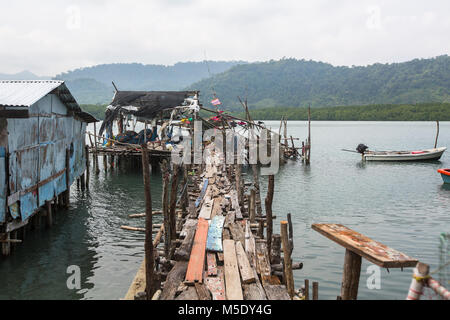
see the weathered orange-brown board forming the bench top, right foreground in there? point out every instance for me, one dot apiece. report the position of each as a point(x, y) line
point(367, 248)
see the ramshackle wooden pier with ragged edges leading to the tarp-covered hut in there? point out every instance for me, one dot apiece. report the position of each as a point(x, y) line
point(218, 252)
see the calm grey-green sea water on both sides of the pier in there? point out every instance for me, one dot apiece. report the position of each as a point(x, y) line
point(403, 205)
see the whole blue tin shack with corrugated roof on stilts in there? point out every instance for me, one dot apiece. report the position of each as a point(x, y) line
point(42, 151)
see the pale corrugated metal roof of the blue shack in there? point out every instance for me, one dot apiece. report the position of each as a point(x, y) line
point(23, 93)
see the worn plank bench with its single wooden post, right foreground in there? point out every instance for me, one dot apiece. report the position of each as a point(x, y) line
point(358, 245)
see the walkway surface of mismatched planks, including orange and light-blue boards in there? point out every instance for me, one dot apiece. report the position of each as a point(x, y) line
point(218, 255)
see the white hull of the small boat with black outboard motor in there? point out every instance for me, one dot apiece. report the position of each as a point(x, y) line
point(417, 155)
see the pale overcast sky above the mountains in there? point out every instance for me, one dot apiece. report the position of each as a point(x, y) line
point(51, 36)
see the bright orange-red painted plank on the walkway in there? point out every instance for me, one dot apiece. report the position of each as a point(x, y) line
point(197, 259)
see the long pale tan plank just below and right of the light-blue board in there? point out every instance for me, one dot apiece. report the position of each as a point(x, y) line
point(232, 279)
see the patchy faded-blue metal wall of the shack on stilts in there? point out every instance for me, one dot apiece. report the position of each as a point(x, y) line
point(37, 148)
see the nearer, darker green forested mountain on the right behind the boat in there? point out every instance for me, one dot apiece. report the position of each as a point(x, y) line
point(298, 83)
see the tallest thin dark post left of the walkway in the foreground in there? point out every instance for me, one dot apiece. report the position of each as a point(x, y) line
point(149, 258)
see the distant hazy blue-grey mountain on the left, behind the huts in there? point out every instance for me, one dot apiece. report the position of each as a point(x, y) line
point(93, 85)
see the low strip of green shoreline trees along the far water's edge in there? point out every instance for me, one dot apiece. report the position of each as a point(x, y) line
point(378, 112)
